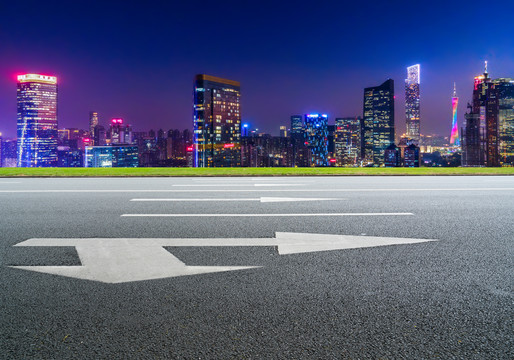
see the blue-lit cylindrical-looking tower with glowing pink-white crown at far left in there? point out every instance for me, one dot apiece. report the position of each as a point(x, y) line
point(37, 120)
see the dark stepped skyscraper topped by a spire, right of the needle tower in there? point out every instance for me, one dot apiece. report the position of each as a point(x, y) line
point(480, 132)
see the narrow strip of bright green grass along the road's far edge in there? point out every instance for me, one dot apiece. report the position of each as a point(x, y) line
point(130, 172)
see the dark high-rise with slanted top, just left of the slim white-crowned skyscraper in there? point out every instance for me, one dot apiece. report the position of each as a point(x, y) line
point(378, 122)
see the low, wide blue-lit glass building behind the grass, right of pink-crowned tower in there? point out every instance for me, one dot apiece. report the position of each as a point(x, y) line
point(111, 156)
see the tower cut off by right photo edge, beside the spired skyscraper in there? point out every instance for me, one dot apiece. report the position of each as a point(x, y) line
point(505, 88)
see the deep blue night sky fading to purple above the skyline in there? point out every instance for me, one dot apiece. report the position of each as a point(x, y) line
point(137, 59)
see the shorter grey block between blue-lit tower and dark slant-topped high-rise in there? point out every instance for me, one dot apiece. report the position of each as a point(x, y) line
point(347, 140)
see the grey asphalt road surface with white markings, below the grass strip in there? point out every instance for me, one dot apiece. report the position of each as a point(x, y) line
point(257, 268)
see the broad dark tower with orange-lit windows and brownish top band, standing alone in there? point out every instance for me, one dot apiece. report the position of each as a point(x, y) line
point(216, 122)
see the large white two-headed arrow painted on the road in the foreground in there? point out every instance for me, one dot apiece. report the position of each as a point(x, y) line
point(126, 260)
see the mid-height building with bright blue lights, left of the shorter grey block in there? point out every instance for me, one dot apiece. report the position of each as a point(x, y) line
point(316, 138)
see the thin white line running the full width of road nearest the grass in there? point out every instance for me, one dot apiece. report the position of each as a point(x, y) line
point(242, 190)
